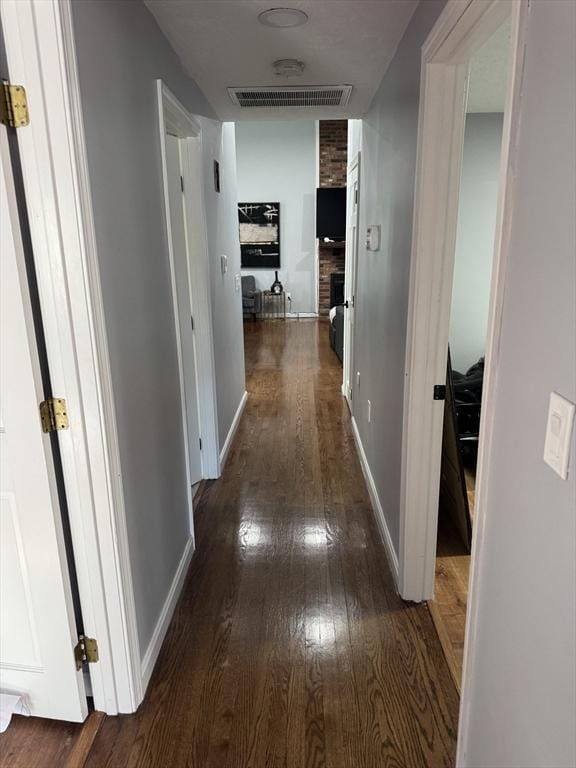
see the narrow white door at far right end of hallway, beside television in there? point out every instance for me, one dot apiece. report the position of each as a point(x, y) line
point(352, 208)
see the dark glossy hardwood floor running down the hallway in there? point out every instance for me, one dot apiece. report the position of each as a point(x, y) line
point(289, 646)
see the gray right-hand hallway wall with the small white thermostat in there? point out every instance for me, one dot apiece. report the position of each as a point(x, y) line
point(389, 135)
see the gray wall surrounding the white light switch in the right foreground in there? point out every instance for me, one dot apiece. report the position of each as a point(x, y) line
point(523, 658)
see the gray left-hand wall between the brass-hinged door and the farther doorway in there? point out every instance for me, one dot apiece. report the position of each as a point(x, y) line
point(120, 53)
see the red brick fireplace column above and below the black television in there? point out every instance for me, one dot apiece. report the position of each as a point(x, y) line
point(333, 135)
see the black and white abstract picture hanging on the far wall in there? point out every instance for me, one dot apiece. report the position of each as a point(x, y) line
point(259, 235)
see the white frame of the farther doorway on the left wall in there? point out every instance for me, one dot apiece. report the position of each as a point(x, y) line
point(175, 119)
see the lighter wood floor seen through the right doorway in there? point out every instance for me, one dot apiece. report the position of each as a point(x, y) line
point(448, 608)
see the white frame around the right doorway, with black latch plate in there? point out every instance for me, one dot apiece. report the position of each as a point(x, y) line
point(462, 27)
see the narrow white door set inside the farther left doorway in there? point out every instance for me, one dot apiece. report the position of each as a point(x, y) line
point(183, 301)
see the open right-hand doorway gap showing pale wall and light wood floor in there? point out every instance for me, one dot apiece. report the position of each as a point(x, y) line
point(470, 300)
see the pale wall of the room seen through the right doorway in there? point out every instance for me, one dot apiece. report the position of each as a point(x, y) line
point(475, 238)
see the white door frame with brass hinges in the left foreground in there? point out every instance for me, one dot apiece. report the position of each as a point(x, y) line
point(41, 56)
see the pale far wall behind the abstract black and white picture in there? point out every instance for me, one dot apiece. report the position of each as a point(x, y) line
point(276, 162)
